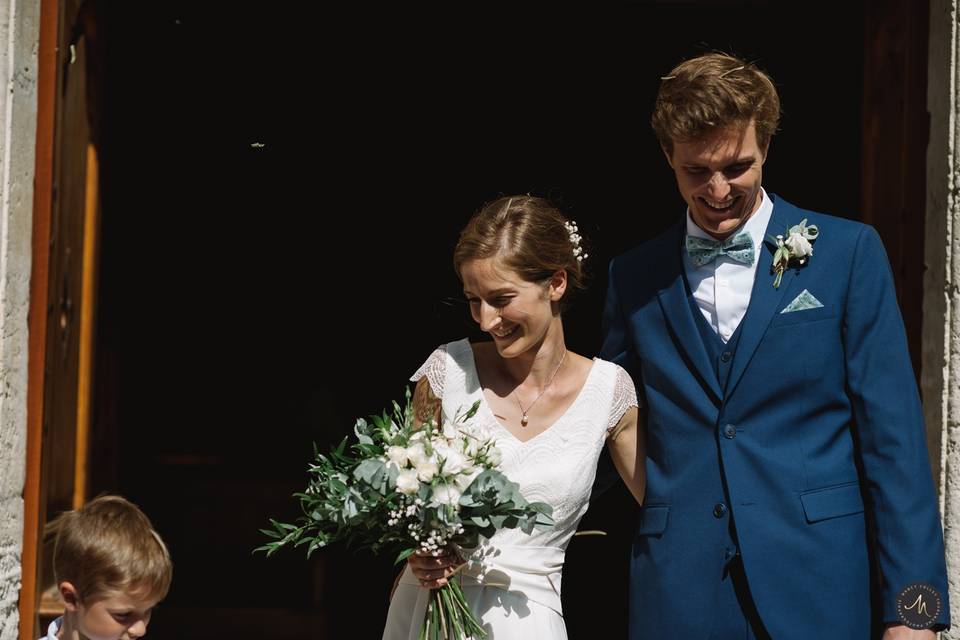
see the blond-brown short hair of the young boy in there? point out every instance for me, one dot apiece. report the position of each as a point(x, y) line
point(108, 546)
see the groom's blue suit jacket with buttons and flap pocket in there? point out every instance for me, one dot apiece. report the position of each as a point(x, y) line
point(828, 436)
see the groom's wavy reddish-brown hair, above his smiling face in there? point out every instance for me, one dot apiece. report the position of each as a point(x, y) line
point(710, 92)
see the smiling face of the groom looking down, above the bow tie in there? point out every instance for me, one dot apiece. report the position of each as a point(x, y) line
point(719, 178)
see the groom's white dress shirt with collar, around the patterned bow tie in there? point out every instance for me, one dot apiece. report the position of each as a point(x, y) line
point(722, 288)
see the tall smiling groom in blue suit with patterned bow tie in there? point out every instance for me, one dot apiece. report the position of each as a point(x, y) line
point(789, 493)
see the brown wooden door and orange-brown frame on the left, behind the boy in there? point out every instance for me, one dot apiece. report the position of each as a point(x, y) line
point(65, 228)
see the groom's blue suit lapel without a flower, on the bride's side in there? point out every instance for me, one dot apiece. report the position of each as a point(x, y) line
point(674, 302)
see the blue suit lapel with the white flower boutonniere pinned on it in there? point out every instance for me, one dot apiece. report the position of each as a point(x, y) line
point(764, 299)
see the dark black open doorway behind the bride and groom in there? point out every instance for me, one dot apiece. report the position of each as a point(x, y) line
point(256, 299)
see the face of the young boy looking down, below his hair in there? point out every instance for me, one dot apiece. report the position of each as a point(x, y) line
point(119, 616)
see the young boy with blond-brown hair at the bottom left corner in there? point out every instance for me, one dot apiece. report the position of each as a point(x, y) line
point(112, 569)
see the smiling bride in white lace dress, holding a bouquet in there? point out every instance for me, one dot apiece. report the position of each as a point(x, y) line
point(550, 409)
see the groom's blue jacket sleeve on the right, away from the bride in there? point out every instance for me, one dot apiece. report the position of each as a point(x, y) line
point(888, 424)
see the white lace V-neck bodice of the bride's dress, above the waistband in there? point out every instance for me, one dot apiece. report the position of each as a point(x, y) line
point(558, 465)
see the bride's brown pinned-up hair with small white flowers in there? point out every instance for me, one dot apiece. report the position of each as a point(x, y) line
point(526, 234)
